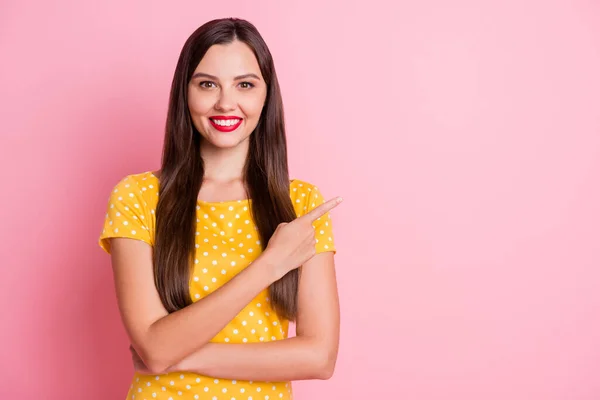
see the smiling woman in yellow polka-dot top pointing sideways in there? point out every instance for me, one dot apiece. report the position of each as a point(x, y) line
point(218, 251)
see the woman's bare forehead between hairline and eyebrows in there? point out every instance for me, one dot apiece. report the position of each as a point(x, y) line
point(228, 60)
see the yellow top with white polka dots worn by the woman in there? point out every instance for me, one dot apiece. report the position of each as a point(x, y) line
point(227, 241)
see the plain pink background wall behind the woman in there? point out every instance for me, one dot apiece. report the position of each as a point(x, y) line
point(464, 137)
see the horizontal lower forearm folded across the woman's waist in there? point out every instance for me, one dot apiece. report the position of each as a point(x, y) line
point(296, 358)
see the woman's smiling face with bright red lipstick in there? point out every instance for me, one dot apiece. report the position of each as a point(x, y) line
point(226, 94)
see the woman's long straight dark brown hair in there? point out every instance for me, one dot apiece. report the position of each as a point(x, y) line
point(266, 176)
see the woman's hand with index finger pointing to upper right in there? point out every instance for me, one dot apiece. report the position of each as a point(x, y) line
point(293, 243)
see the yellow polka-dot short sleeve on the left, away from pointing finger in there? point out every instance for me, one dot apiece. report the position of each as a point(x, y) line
point(126, 215)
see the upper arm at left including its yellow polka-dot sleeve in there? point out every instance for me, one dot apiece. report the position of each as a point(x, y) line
point(127, 238)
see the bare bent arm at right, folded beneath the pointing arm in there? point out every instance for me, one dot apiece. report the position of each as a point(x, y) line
point(311, 354)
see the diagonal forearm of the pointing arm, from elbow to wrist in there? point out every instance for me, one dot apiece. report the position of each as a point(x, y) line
point(177, 335)
